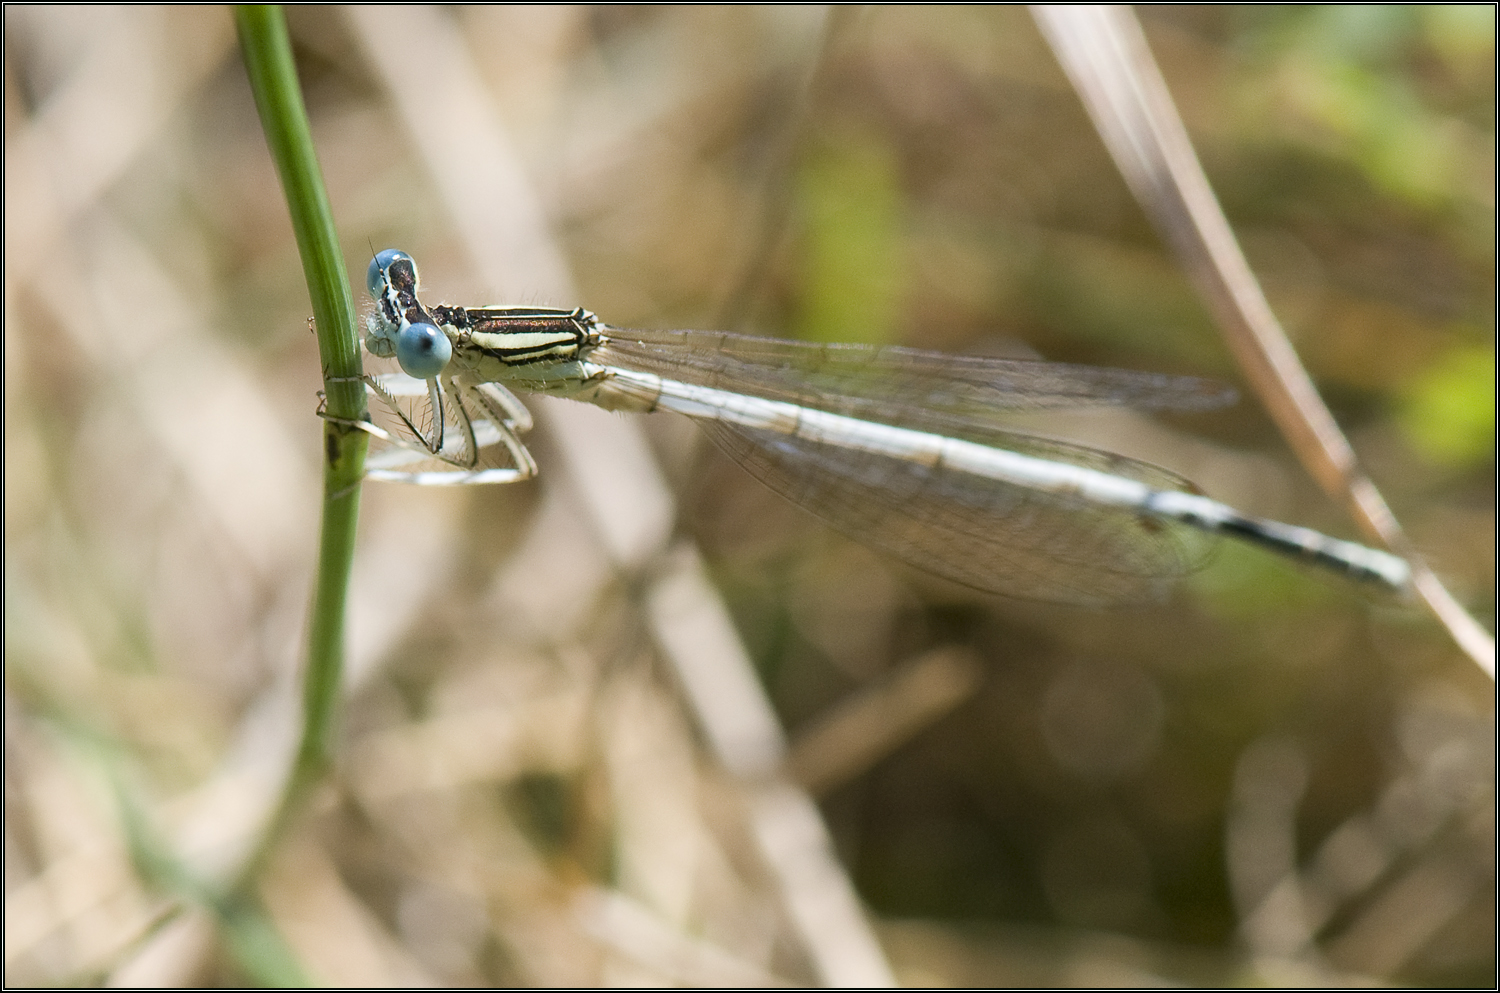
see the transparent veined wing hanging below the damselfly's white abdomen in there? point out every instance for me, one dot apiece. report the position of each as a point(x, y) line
point(979, 532)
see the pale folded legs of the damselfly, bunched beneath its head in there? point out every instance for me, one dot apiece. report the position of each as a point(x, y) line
point(475, 440)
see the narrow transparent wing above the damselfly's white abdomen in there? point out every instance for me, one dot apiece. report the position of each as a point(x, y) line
point(898, 386)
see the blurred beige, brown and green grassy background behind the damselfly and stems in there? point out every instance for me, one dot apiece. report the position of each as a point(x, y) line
point(1271, 778)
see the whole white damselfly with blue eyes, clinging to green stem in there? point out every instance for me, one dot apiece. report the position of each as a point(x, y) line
point(901, 449)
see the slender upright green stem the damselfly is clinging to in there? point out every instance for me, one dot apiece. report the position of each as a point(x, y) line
point(278, 97)
